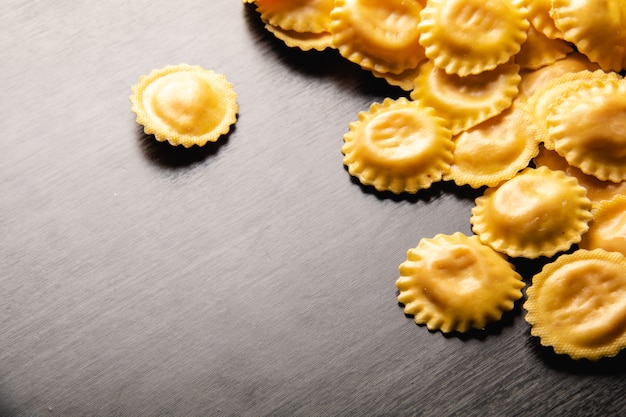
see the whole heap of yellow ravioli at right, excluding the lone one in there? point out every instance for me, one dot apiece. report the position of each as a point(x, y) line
point(521, 100)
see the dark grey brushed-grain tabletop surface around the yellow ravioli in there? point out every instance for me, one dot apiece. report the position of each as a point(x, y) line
point(252, 277)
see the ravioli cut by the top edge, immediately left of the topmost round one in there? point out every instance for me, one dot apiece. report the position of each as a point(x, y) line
point(379, 36)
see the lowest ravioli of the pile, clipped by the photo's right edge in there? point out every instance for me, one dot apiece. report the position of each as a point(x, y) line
point(577, 304)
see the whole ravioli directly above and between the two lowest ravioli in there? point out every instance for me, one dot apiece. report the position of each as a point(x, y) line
point(539, 212)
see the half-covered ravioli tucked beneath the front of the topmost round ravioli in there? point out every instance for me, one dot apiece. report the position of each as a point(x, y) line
point(466, 101)
